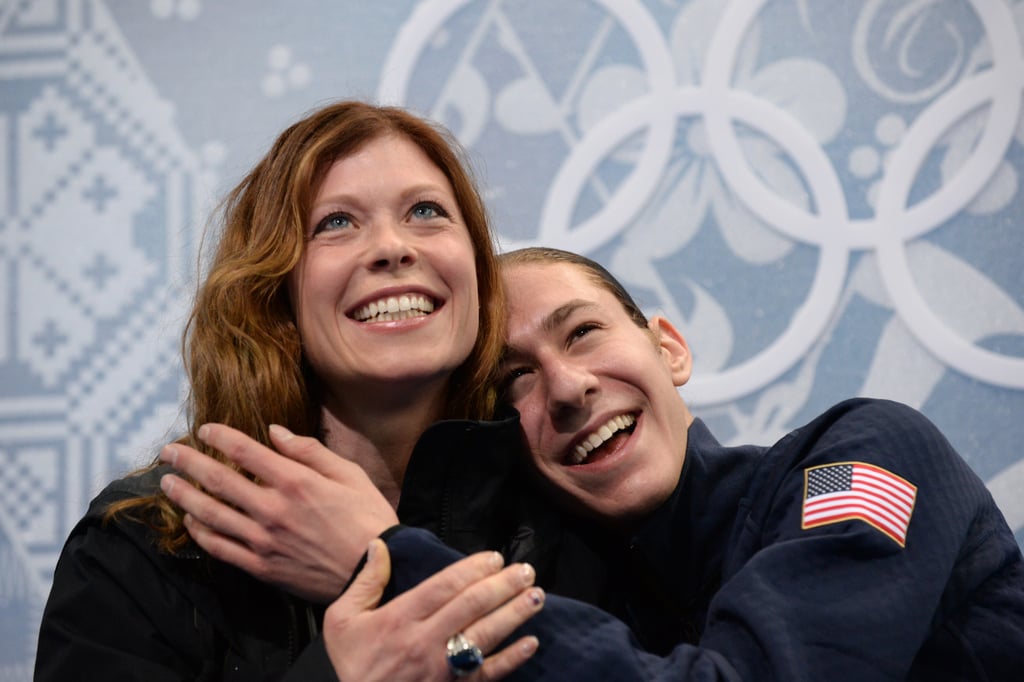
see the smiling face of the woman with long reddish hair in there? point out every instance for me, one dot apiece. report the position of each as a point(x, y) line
point(386, 294)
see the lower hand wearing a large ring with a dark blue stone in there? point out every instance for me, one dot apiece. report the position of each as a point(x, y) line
point(406, 638)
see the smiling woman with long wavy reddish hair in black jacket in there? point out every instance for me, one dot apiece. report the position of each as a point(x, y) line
point(354, 297)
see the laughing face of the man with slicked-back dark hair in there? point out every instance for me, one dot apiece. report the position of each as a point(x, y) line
point(598, 394)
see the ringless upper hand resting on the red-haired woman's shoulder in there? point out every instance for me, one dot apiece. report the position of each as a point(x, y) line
point(305, 527)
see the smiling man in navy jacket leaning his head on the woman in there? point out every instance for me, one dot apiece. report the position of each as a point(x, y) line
point(859, 547)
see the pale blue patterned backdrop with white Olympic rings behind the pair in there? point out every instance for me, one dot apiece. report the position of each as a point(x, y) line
point(828, 197)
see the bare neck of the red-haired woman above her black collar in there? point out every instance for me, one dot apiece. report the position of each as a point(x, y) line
point(379, 439)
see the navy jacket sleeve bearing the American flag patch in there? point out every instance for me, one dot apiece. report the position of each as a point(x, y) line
point(879, 582)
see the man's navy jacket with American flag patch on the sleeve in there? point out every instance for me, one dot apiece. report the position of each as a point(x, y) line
point(738, 577)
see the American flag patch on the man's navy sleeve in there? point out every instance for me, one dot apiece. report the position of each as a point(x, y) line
point(835, 493)
